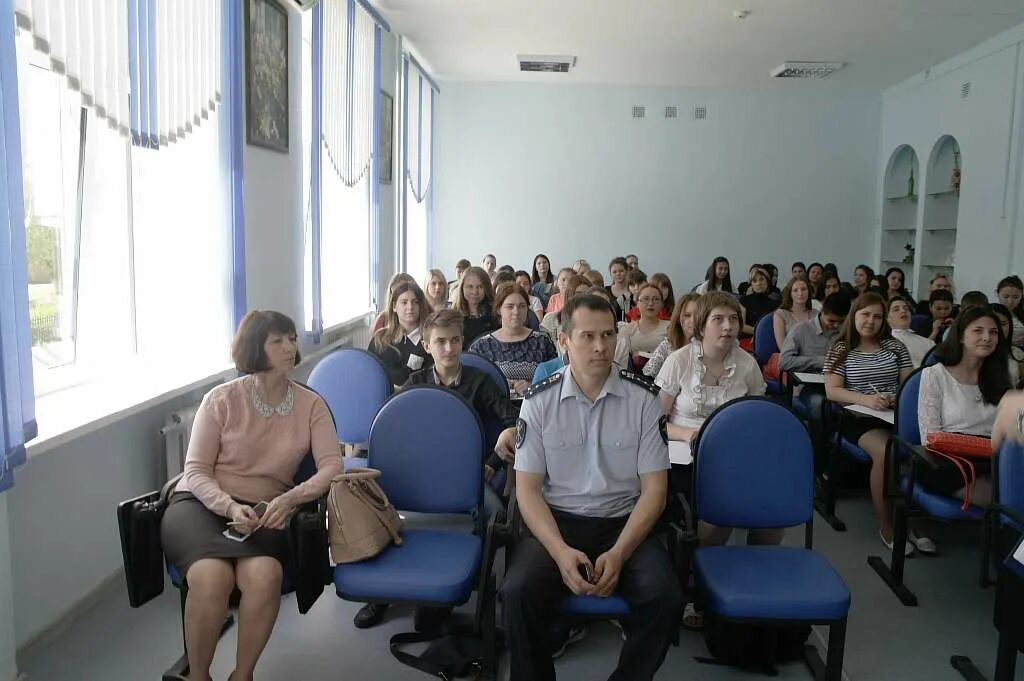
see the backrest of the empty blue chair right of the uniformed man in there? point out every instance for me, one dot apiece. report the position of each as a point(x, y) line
point(754, 466)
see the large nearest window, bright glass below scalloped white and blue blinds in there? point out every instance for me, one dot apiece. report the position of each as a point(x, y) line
point(130, 246)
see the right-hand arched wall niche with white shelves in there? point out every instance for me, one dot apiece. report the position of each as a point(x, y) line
point(942, 207)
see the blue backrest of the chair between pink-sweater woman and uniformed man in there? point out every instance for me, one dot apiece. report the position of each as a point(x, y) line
point(428, 442)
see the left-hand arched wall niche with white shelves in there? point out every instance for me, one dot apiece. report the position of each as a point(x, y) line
point(900, 210)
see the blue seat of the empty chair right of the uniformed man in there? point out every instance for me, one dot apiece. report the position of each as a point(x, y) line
point(772, 583)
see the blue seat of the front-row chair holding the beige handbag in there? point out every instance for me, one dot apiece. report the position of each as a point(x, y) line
point(430, 567)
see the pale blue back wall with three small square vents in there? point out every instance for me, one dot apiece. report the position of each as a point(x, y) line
point(775, 175)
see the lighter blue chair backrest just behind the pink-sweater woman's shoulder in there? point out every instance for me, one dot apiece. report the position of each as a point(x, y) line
point(355, 385)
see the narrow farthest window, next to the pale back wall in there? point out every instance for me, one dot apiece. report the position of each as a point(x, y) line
point(420, 99)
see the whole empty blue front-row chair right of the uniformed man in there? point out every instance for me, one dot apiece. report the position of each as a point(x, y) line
point(755, 470)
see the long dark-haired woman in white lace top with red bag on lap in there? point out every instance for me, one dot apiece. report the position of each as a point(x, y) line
point(960, 396)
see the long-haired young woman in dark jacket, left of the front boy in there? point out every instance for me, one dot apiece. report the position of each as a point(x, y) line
point(398, 345)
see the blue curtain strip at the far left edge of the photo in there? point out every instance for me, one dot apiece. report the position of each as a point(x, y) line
point(18, 410)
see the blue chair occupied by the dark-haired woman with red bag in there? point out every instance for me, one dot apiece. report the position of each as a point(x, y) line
point(911, 498)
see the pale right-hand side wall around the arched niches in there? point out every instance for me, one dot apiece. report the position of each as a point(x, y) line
point(988, 126)
